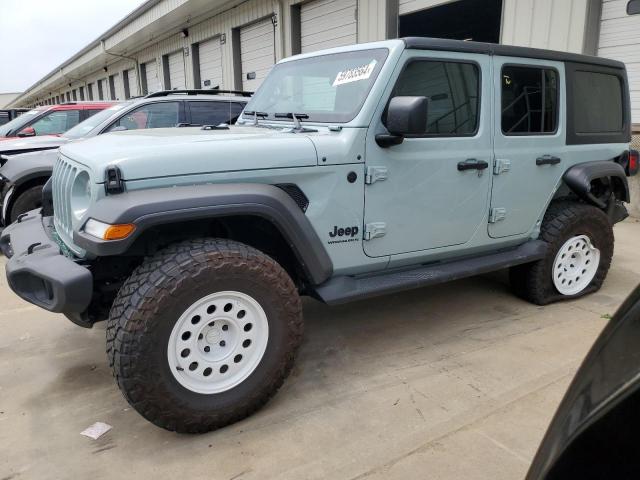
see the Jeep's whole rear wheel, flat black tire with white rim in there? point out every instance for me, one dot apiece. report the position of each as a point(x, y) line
point(580, 239)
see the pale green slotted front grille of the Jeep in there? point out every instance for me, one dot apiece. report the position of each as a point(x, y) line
point(64, 172)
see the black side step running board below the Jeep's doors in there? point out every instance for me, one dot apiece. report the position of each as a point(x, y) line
point(344, 289)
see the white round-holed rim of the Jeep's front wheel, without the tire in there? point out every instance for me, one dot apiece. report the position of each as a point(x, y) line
point(218, 342)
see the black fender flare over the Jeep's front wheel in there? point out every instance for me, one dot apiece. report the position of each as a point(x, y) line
point(166, 205)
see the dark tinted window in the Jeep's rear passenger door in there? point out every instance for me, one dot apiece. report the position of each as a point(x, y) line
point(529, 99)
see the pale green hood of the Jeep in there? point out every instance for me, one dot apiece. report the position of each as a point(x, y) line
point(166, 152)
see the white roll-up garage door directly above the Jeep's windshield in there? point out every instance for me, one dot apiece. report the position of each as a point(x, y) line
point(327, 24)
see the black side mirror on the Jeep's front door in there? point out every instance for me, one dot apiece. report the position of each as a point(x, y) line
point(405, 116)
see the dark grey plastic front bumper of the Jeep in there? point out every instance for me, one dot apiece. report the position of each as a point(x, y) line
point(38, 272)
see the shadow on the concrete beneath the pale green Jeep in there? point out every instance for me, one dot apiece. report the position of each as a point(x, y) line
point(341, 344)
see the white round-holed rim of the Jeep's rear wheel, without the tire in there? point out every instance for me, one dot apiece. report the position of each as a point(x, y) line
point(575, 265)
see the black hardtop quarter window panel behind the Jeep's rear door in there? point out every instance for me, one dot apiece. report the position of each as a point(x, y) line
point(597, 105)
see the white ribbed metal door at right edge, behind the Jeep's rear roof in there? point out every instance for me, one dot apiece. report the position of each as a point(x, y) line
point(620, 39)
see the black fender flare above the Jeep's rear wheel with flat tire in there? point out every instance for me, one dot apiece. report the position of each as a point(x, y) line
point(579, 177)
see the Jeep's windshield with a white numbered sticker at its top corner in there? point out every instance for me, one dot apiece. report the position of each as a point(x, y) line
point(327, 88)
